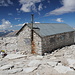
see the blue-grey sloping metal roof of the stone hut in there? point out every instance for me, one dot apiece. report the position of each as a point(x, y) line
point(46, 29)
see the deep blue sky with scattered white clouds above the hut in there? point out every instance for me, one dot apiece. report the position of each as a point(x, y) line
point(14, 13)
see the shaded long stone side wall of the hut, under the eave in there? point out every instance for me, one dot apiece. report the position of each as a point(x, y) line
point(55, 41)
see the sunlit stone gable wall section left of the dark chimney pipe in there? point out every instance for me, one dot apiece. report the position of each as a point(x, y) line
point(24, 40)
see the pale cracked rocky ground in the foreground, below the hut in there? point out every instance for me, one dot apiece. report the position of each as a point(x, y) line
point(59, 62)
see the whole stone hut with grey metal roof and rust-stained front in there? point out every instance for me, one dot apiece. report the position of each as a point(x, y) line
point(46, 37)
